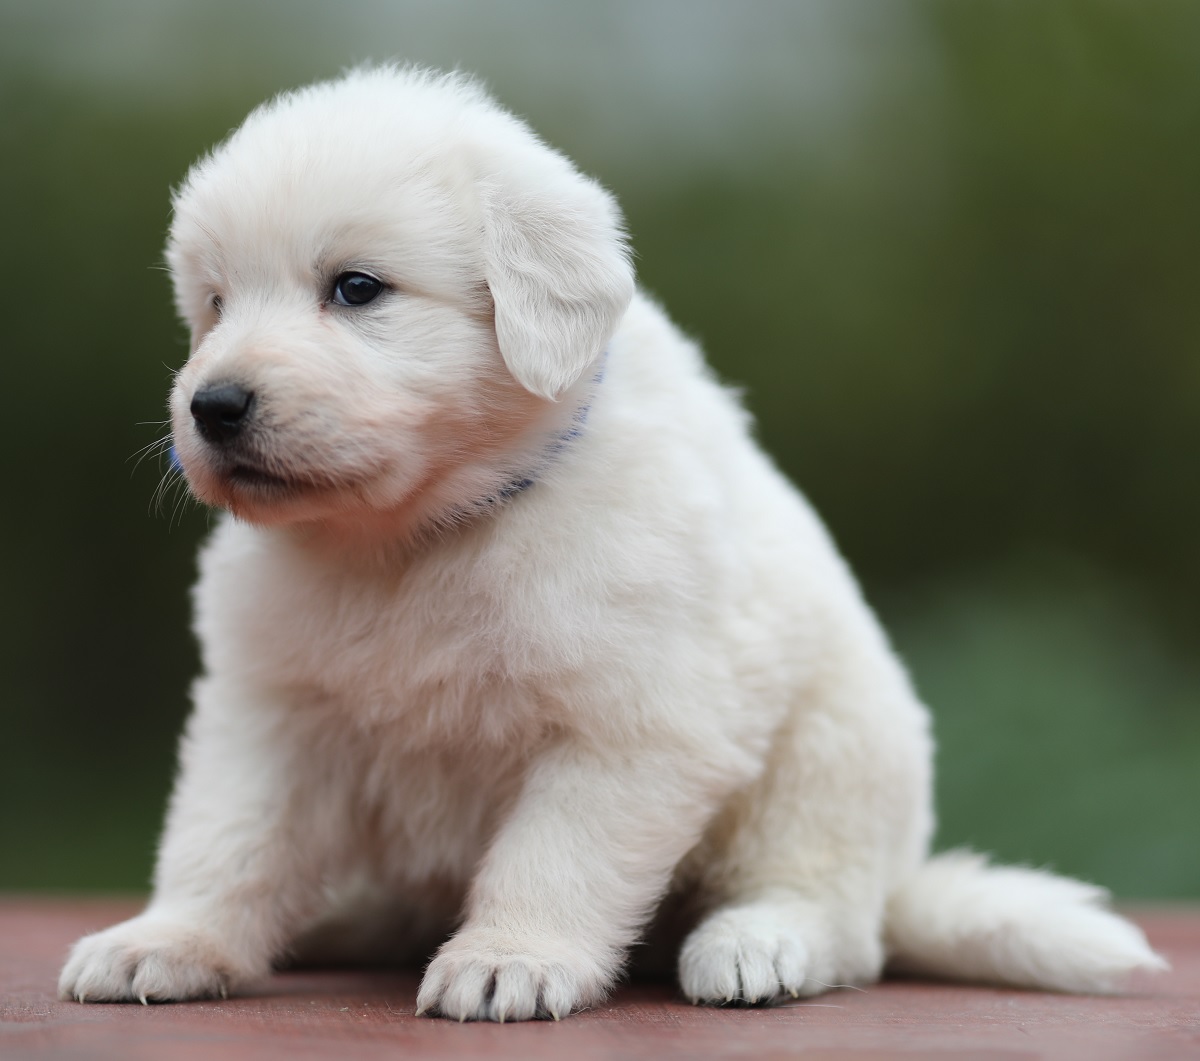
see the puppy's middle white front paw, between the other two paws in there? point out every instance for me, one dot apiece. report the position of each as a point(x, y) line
point(487, 975)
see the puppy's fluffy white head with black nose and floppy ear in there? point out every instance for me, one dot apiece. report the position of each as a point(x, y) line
point(389, 283)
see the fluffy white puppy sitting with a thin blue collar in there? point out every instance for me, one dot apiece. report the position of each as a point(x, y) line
point(513, 628)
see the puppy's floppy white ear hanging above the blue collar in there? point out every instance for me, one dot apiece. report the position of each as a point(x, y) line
point(559, 268)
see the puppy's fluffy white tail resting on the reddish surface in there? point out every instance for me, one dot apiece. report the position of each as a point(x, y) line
point(959, 919)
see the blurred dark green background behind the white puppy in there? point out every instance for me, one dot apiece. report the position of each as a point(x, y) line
point(949, 249)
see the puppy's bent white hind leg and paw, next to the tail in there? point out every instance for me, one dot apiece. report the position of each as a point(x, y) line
point(796, 872)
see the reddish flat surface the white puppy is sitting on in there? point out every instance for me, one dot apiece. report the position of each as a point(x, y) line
point(302, 1016)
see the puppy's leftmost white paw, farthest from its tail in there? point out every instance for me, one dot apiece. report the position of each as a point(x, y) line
point(148, 960)
